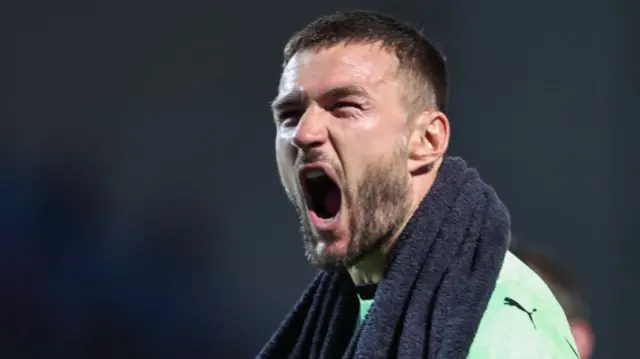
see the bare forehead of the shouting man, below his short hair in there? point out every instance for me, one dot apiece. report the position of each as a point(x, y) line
point(365, 65)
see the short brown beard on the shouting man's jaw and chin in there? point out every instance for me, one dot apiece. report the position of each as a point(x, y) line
point(377, 207)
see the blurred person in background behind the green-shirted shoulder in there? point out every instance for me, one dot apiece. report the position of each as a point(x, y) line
point(566, 290)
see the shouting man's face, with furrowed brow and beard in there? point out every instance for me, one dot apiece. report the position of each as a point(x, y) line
point(341, 149)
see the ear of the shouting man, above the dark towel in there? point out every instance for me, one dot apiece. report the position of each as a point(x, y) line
point(429, 139)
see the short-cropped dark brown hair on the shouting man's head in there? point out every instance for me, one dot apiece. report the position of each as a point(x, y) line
point(416, 55)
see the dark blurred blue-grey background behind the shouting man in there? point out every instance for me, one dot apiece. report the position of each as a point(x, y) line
point(140, 211)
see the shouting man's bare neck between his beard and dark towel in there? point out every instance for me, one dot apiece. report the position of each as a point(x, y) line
point(370, 270)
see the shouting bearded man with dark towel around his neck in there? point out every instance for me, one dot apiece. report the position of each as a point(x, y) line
point(411, 244)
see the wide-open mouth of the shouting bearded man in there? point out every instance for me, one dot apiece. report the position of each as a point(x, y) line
point(321, 192)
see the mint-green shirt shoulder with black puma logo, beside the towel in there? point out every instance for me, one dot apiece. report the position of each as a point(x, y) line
point(523, 319)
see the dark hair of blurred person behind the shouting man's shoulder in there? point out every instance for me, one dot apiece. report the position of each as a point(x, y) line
point(560, 281)
